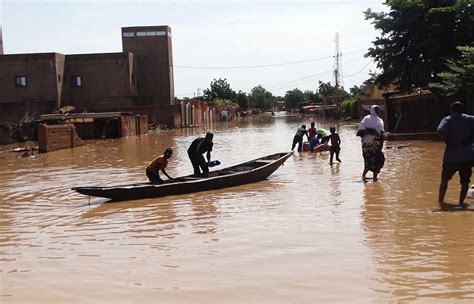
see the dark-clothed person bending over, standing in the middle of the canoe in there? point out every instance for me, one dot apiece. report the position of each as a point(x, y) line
point(198, 147)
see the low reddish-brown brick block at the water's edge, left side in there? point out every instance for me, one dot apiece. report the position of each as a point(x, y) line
point(56, 137)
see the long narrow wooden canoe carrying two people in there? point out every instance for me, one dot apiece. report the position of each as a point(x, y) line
point(244, 173)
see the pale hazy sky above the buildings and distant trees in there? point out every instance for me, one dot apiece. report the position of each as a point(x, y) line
point(280, 45)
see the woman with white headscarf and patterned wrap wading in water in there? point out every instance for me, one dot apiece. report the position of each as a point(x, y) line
point(371, 130)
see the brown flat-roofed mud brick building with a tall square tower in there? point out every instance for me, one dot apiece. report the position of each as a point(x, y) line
point(141, 75)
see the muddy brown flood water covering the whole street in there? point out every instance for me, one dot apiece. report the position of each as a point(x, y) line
point(310, 233)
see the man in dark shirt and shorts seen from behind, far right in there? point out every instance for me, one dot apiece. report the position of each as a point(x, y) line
point(457, 131)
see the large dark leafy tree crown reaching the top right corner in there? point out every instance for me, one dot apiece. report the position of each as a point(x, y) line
point(417, 38)
